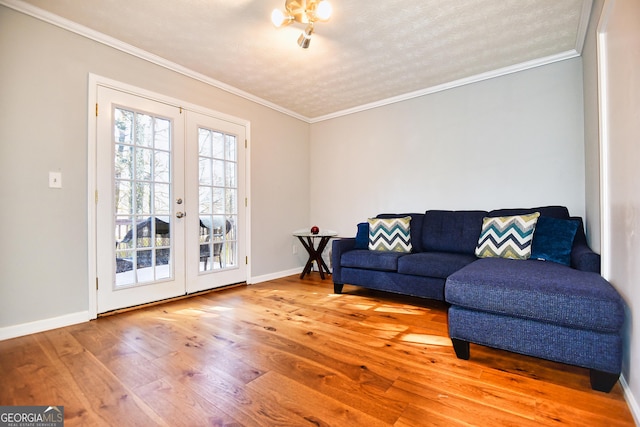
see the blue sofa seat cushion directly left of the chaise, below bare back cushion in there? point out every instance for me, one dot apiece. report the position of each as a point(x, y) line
point(433, 264)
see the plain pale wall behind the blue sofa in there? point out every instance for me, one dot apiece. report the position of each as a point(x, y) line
point(513, 141)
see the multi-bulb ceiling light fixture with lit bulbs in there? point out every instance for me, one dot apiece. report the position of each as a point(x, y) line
point(304, 12)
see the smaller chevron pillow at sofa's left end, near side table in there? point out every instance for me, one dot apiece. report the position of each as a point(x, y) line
point(392, 234)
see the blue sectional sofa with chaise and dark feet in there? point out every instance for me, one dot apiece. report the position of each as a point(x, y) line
point(559, 308)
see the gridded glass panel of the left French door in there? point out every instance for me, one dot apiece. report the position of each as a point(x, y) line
point(142, 183)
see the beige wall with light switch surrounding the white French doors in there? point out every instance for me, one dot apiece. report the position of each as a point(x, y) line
point(43, 112)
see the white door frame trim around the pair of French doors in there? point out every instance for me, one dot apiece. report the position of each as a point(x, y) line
point(92, 137)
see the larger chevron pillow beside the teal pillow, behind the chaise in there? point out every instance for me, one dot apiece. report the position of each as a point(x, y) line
point(507, 236)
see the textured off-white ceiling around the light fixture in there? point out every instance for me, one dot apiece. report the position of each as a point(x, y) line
point(368, 52)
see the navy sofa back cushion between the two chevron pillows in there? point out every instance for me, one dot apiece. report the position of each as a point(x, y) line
point(452, 231)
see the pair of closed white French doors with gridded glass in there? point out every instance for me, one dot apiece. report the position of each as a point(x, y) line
point(170, 209)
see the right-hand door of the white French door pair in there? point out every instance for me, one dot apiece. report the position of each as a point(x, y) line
point(216, 197)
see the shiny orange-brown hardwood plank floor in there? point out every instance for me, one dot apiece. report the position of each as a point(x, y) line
point(291, 353)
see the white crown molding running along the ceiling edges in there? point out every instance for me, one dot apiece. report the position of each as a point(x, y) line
point(71, 26)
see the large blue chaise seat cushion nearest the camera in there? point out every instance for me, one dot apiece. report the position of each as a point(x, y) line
point(539, 290)
